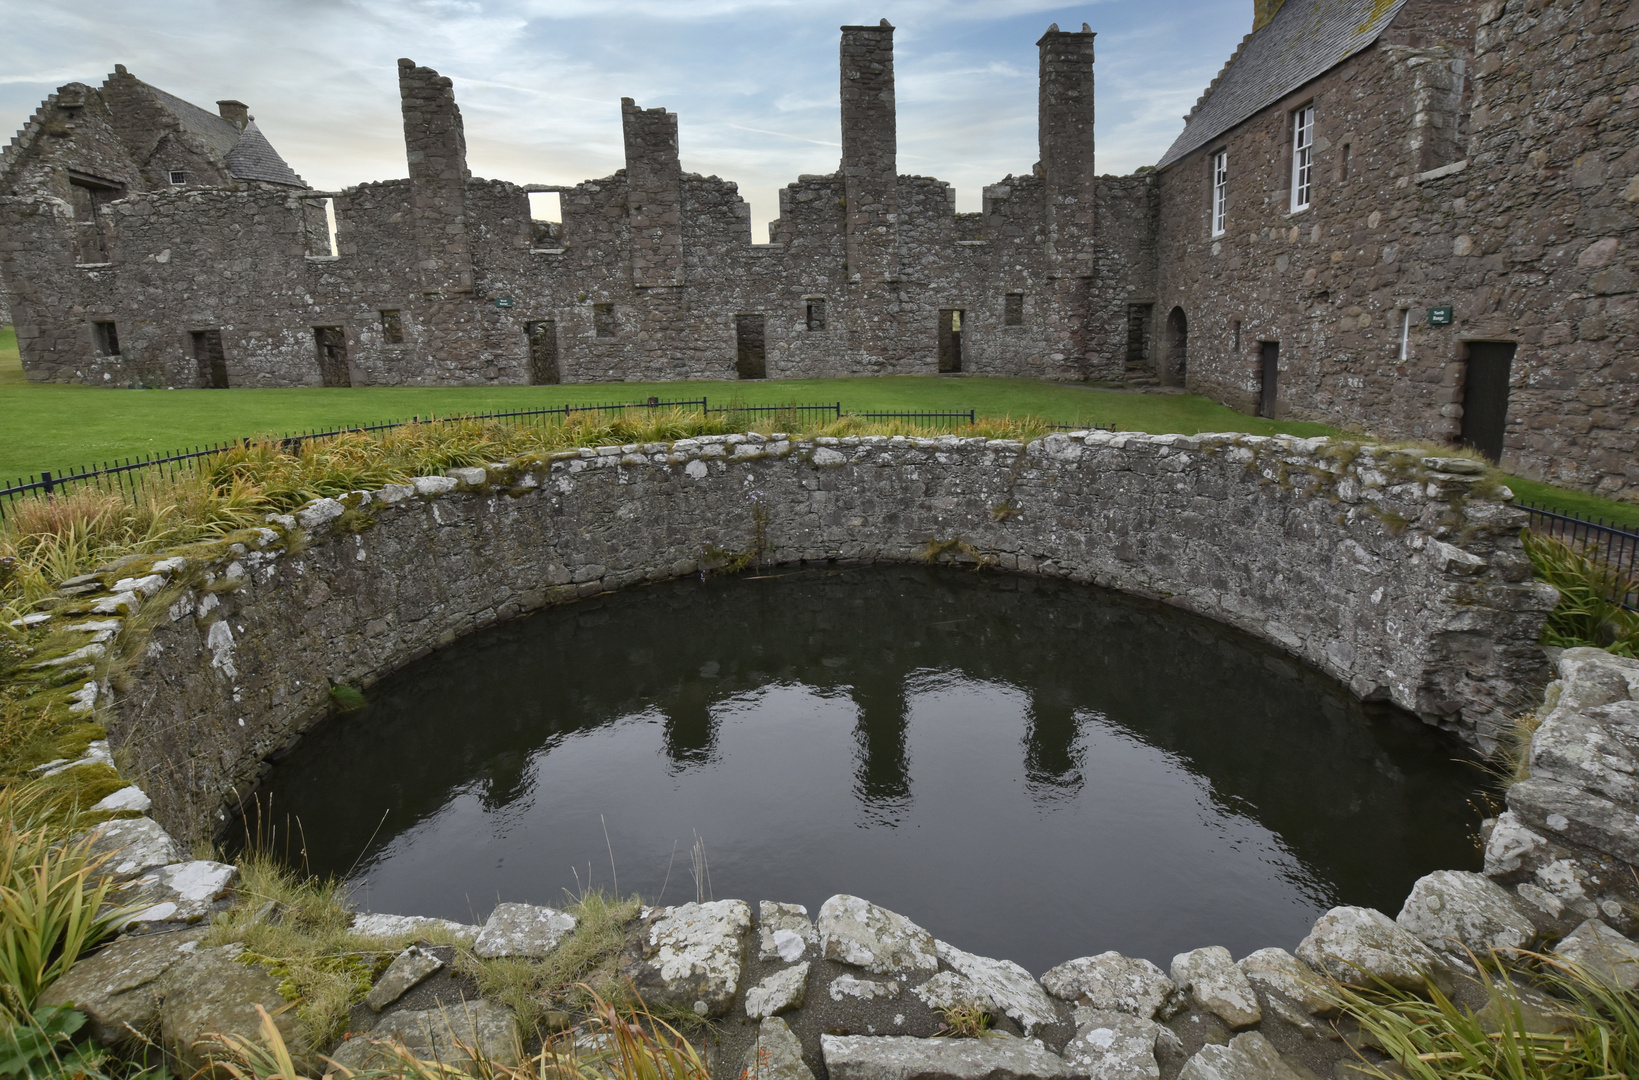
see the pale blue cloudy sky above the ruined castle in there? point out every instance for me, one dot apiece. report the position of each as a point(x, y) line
point(755, 83)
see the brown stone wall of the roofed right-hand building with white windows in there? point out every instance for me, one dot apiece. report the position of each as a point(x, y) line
point(1478, 157)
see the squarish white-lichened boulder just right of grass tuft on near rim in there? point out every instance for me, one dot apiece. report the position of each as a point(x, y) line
point(692, 955)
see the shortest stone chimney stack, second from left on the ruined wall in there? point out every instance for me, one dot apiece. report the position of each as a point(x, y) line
point(655, 196)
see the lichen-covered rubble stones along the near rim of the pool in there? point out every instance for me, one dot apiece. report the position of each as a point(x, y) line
point(860, 989)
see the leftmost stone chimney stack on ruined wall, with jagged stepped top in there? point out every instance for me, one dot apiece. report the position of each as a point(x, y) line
point(437, 148)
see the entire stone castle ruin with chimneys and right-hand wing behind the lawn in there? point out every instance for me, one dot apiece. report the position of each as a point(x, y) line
point(1409, 217)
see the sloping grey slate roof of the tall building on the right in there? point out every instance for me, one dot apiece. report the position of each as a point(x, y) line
point(1305, 40)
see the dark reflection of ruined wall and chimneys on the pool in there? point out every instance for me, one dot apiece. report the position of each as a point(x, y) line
point(1279, 743)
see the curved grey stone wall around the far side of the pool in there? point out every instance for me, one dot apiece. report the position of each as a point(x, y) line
point(1397, 574)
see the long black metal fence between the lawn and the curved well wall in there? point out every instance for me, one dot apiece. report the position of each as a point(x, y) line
point(129, 474)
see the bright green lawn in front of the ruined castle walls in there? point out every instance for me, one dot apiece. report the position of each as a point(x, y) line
point(57, 427)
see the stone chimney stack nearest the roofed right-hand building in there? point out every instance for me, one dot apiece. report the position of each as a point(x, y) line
point(1066, 135)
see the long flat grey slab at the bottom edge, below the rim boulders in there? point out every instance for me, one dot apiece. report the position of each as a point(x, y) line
point(907, 1058)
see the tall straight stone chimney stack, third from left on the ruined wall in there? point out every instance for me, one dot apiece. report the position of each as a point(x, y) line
point(871, 155)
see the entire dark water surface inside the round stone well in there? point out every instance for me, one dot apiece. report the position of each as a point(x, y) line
point(1030, 769)
